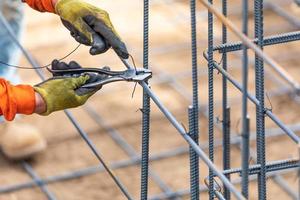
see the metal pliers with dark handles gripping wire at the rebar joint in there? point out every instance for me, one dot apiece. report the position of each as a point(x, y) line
point(129, 75)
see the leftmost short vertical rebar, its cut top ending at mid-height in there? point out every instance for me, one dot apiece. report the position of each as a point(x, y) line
point(194, 159)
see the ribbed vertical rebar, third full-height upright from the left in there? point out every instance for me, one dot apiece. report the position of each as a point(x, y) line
point(211, 100)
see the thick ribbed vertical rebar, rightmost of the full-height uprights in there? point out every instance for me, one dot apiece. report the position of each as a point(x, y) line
point(260, 93)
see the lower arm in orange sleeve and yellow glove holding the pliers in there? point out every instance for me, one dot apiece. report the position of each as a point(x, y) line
point(52, 95)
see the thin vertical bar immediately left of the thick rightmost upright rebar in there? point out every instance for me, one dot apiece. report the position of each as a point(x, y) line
point(245, 118)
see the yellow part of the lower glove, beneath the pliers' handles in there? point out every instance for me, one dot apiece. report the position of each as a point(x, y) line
point(61, 93)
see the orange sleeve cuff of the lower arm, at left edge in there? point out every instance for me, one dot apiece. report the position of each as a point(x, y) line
point(16, 99)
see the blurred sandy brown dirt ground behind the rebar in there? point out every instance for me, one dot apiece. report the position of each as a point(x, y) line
point(170, 58)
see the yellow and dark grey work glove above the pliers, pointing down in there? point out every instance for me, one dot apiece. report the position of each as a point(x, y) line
point(91, 26)
